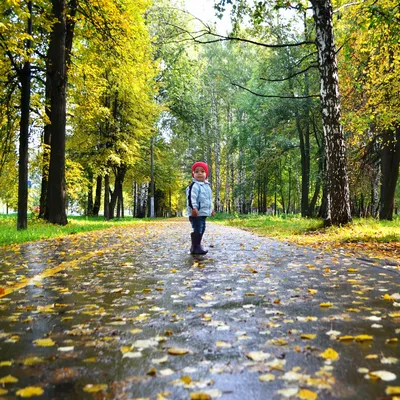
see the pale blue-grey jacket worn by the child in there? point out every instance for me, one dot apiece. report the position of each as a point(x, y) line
point(198, 195)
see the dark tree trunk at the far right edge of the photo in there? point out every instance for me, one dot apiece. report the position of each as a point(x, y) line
point(390, 159)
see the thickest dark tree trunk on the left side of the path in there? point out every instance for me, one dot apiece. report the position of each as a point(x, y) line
point(56, 188)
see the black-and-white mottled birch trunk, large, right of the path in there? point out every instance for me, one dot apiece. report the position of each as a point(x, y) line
point(338, 197)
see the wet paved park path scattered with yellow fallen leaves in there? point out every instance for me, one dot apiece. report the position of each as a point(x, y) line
point(129, 314)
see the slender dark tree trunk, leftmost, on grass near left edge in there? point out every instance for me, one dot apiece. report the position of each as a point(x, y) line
point(25, 80)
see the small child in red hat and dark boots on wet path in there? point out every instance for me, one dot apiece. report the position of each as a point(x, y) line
point(199, 205)
